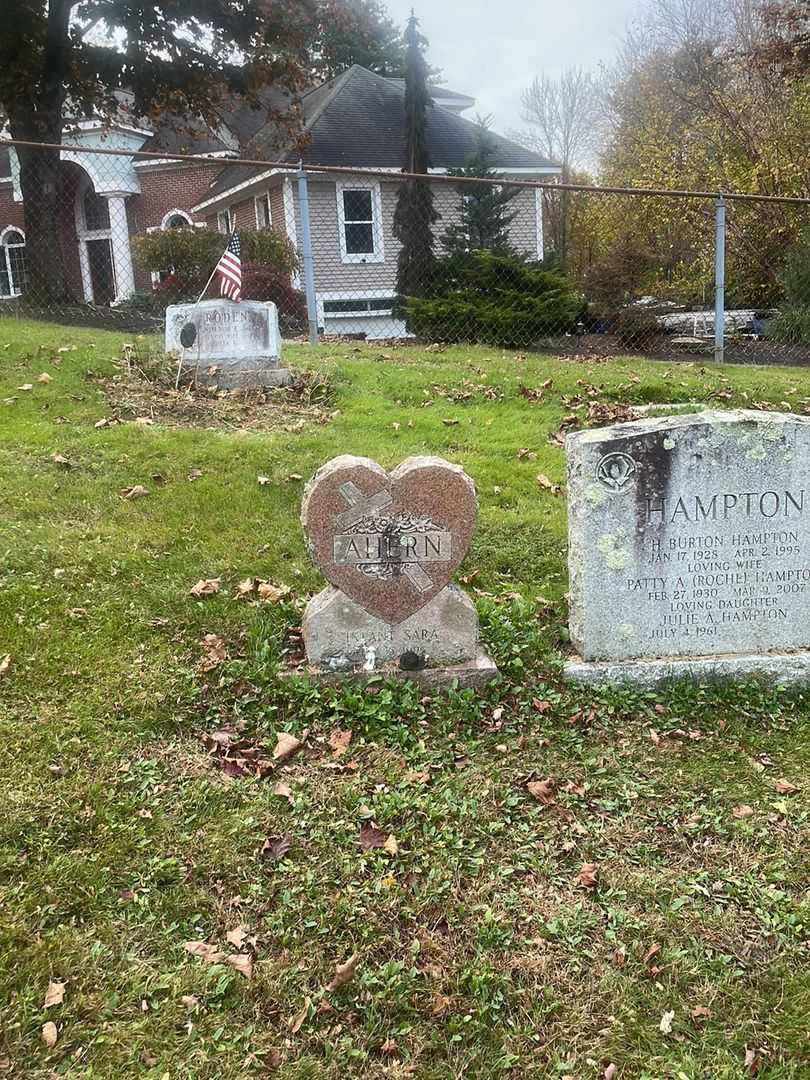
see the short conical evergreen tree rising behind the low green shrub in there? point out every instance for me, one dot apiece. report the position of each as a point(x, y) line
point(485, 219)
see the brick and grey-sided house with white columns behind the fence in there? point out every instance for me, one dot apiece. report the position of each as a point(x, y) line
point(355, 121)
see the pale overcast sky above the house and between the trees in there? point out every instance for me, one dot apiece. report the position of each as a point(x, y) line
point(492, 49)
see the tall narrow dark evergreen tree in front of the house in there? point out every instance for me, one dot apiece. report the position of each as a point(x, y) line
point(415, 214)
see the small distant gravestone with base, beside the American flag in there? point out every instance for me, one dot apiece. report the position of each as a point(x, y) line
point(227, 345)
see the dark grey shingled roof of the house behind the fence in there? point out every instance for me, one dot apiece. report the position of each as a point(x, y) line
point(358, 119)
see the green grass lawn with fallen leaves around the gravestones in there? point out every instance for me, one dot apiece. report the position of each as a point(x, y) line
point(484, 950)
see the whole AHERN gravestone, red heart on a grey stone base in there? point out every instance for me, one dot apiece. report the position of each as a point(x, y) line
point(389, 546)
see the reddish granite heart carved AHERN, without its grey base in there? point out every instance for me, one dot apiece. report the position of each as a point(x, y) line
point(390, 543)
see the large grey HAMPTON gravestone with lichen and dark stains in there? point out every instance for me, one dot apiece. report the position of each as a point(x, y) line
point(690, 548)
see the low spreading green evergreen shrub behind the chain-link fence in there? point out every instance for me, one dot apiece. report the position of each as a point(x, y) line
point(495, 300)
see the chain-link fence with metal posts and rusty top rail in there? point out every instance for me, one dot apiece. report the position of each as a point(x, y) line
point(111, 237)
